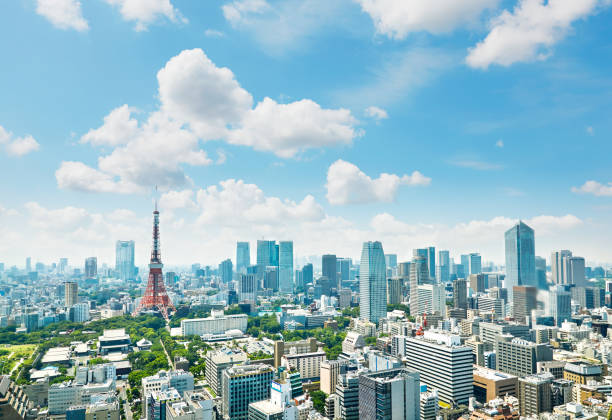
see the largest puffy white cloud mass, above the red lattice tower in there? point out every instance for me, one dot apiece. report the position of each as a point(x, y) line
point(198, 102)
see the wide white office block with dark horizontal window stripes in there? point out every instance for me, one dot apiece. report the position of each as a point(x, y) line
point(443, 364)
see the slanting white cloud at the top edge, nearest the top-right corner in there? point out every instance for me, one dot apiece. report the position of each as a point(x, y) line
point(529, 32)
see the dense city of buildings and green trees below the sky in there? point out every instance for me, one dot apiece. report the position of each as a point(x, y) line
point(375, 338)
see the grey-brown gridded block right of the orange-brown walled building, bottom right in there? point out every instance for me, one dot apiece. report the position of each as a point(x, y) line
point(535, 395)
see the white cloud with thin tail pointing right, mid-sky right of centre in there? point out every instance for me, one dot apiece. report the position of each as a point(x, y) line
point(347, 184)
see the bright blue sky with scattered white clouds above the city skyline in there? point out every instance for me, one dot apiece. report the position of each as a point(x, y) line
point(276, 119)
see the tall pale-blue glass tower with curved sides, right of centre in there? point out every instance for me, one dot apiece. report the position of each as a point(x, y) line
point(372, 283)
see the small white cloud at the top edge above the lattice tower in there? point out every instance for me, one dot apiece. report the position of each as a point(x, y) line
point(146, 12)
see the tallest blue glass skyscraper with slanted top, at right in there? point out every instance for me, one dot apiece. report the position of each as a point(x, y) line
point(520, 257)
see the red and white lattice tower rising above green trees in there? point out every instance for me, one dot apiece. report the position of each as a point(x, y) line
point(155, 296)
